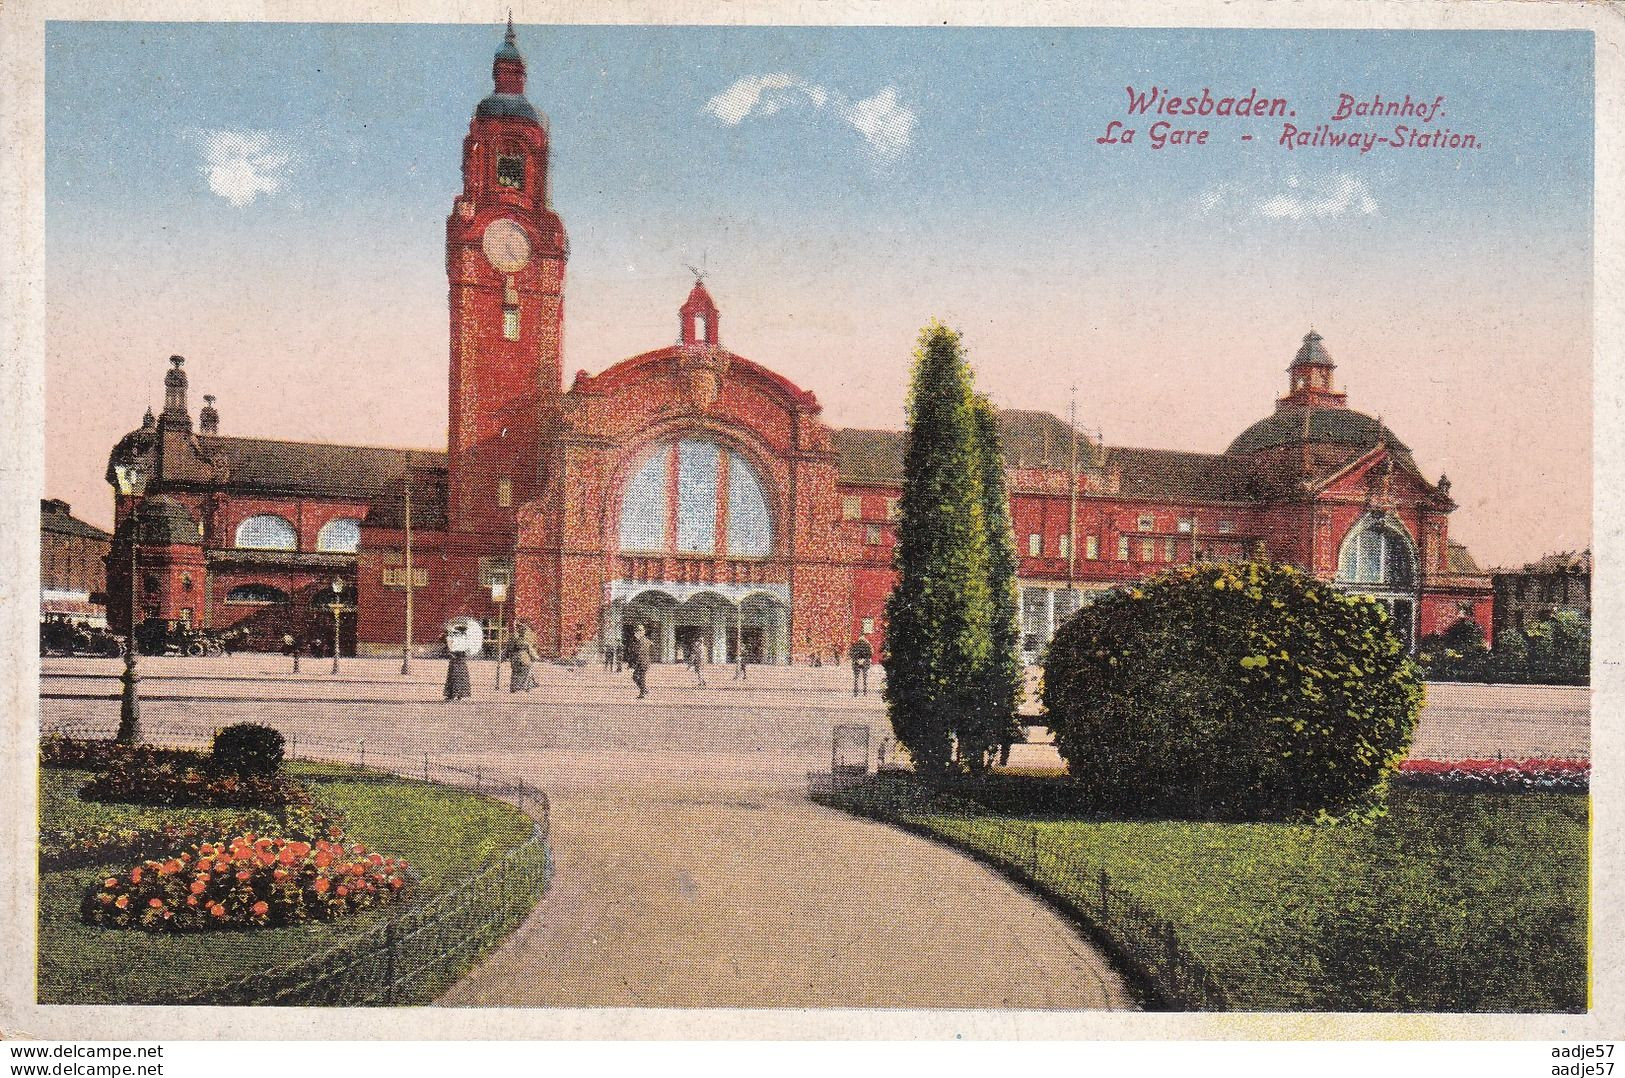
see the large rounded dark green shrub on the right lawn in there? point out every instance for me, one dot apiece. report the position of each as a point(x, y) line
point(1237, 692)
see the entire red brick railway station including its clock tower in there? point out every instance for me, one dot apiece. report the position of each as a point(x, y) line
point(700, 493)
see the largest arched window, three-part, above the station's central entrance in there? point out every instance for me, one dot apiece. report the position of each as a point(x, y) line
point(680, 497)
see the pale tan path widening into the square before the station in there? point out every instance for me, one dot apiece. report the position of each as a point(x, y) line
point(691, 871)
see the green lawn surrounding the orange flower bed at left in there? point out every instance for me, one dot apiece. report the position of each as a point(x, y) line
point(448, 835)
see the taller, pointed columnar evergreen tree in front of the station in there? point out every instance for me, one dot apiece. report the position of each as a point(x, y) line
point(940, 615)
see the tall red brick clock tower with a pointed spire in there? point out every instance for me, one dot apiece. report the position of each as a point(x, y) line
point(505, 259)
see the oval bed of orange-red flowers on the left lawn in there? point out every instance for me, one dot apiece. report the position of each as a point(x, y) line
point(246, 882)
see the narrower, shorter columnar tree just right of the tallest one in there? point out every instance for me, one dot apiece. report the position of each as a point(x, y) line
point(1000, 689)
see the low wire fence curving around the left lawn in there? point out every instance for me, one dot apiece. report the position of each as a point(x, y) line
point(420, 950)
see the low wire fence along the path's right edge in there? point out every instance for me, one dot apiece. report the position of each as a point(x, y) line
point(1143, 945)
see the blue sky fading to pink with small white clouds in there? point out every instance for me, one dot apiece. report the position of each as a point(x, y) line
point(269, 201)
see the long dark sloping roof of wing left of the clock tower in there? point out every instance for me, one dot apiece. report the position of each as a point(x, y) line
point(360, 472)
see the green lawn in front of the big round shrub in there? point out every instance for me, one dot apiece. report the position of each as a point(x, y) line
point(1452, 903)
